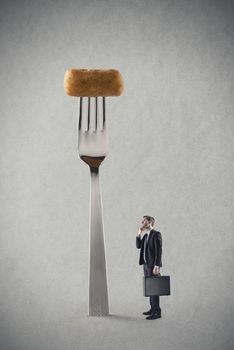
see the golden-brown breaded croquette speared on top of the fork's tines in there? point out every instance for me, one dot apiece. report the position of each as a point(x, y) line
point(93, 82)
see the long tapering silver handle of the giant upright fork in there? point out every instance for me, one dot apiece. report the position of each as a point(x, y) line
point(98, 293)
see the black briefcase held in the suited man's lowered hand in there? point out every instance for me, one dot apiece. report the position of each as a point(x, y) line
point(156, 285)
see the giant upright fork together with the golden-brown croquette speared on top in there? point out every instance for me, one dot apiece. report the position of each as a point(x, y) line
point(94, 85)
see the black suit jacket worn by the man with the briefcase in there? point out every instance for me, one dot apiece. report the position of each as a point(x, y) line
point(153, 251)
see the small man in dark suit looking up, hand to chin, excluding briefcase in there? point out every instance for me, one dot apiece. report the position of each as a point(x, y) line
point(149, 241)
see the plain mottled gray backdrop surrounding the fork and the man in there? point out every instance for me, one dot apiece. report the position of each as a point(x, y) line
point(171, 156)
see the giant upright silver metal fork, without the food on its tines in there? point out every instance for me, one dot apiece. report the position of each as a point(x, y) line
point(92, 149)
